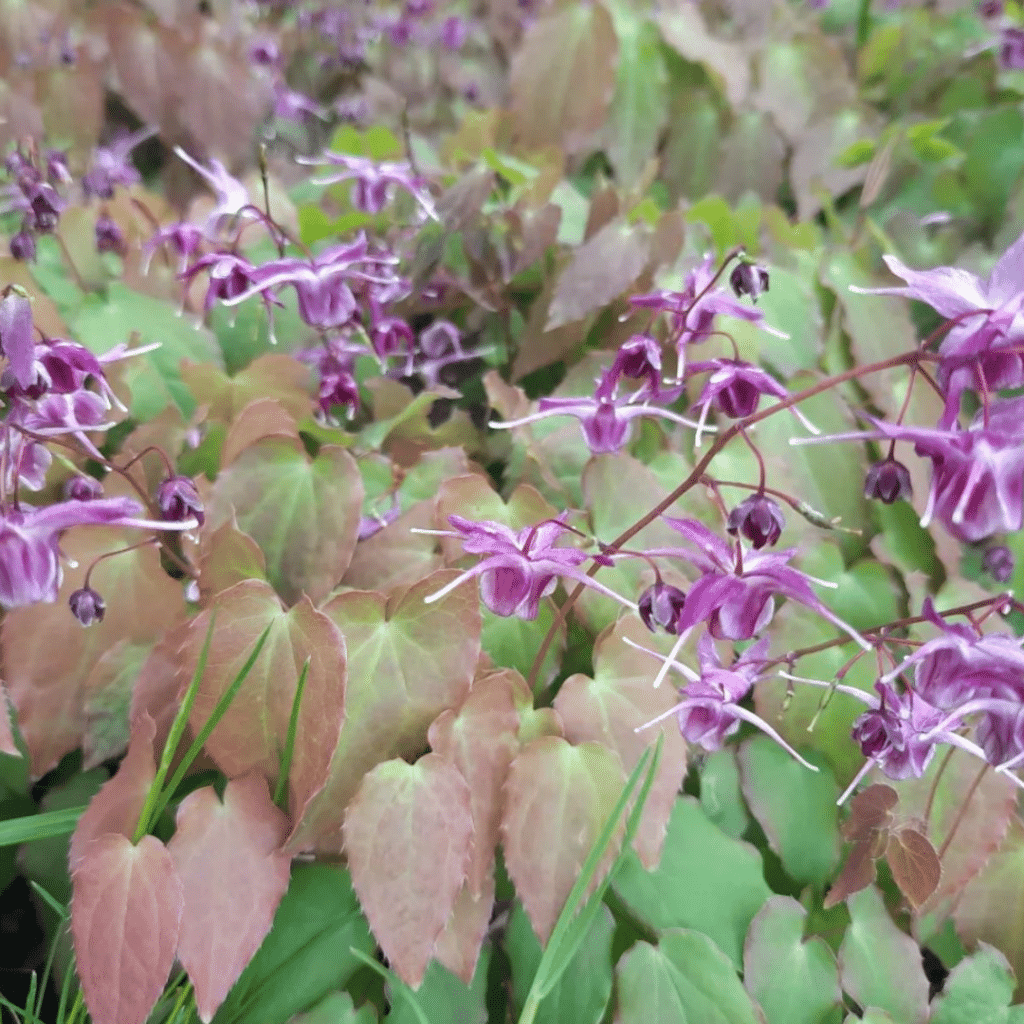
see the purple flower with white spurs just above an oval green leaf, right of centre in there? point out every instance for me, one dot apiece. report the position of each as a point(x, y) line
point(710, 710)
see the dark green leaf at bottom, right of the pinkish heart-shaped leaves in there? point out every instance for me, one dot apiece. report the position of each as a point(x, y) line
point(308, 953)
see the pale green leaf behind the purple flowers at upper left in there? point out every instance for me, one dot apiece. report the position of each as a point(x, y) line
point(155, 378)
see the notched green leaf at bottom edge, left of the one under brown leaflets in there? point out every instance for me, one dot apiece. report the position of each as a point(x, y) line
point(794, 982)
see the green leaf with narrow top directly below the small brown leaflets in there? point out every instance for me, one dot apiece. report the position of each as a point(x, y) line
point(880, 966)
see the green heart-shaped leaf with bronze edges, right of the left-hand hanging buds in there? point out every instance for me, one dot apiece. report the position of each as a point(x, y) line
point(304, 514)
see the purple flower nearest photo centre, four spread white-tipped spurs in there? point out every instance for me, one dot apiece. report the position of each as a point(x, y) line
point(519, 569)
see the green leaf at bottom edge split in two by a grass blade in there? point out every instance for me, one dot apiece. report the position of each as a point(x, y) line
point(583, 992)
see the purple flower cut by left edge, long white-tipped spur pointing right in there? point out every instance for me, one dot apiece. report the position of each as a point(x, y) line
point(30, 556)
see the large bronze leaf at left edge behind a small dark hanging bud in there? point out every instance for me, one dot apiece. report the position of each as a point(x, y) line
point(48, 656)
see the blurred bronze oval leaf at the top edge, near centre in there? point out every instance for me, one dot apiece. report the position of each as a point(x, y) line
point(564, 77)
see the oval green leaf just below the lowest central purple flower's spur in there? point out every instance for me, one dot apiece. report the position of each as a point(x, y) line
point(795, 807)
